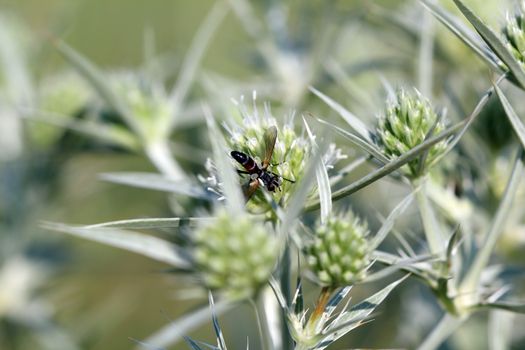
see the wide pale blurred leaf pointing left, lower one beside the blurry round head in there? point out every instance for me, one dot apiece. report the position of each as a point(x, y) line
point(152, 247)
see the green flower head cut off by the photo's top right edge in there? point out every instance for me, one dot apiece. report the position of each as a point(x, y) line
point(514, 34)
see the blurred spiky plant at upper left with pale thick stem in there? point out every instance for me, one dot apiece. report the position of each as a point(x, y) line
point(142, 113)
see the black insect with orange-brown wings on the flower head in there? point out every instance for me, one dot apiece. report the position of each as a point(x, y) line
point(259, 174)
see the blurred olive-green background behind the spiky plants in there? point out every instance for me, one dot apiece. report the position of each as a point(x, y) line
point(99, 297)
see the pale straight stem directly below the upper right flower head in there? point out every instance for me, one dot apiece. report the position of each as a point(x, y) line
point(435, 239)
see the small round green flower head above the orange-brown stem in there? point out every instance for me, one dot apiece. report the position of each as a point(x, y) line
point(338, 255)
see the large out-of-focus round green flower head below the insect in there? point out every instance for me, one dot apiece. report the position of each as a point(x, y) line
point(235, 255)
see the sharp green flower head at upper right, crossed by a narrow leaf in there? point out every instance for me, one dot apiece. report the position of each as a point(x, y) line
point(406, 123)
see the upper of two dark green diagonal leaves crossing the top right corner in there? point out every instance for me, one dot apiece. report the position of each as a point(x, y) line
point(495, 43)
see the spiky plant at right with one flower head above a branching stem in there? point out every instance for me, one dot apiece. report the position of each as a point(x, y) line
point(459, 275)
